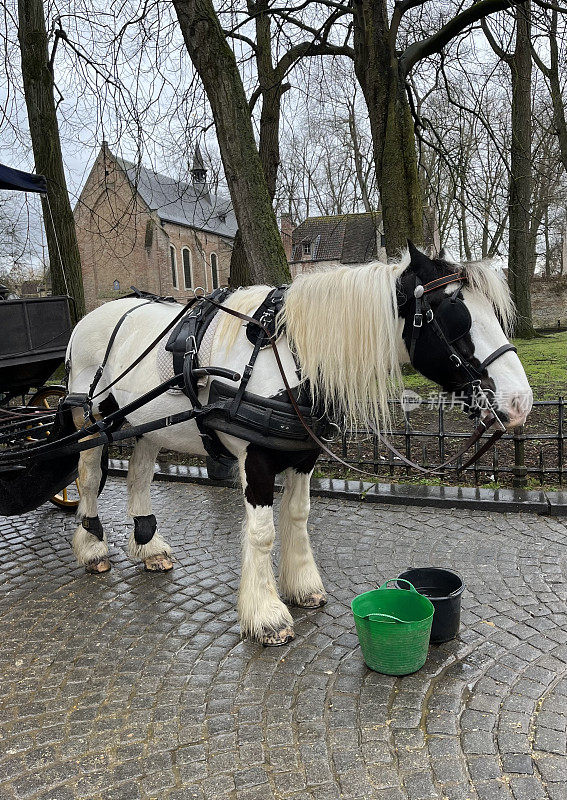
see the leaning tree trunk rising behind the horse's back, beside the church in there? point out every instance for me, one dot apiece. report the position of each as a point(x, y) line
point(215, 62)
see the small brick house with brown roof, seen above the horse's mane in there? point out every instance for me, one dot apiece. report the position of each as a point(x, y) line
point(322, 241)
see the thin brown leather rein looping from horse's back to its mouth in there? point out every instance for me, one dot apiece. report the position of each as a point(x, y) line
point(472, 440)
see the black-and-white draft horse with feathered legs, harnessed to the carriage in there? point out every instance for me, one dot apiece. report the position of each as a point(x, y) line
point(349, 329)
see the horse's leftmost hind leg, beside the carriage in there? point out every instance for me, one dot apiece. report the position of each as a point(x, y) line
point(89, 541)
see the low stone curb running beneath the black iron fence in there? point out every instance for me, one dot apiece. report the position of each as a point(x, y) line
point(515, 500)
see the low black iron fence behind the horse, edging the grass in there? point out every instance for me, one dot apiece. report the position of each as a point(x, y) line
point(535, 453)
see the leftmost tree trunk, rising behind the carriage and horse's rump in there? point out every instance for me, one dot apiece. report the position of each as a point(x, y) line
point(37, 74)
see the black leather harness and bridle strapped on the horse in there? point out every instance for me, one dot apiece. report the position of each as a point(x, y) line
point(269, 421)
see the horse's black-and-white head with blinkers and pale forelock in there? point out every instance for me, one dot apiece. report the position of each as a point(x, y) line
point(453, 320)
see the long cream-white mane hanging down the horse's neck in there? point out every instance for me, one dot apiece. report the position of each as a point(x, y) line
point(343, 325)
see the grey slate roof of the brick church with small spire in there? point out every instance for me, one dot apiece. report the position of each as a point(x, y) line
point(182, 203)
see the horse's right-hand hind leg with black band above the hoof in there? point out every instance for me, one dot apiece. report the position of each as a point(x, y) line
point(145, 544)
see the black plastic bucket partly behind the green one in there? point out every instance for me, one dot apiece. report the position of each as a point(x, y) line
point(444, 589)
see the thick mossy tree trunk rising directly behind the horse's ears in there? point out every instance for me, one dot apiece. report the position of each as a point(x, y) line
point(378, 71)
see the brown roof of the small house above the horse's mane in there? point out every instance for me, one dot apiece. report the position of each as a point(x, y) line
point(349, 238)
